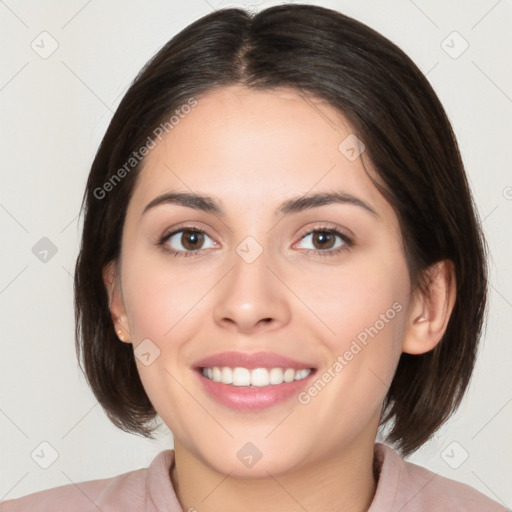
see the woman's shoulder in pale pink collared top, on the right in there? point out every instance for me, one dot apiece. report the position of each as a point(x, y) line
point(408, 487)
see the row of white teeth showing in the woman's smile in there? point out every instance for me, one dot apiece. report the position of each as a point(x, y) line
point(258, 377)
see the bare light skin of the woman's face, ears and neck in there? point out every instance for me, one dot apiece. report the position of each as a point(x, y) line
point(252, 150)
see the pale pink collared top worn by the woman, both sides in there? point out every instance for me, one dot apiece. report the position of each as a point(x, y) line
point(402, 486)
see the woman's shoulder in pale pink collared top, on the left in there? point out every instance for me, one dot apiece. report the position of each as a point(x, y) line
point(125, 492)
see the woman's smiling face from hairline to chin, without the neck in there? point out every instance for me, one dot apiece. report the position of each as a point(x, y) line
point(309, 302)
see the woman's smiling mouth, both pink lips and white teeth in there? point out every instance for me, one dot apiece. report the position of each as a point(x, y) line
point(252, 382)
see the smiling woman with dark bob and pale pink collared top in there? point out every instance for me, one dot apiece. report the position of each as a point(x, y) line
point(280, 254)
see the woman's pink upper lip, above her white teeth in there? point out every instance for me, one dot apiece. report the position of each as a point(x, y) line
point(251, 361)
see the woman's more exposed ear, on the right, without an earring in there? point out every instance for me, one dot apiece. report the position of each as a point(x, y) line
point(430, 310)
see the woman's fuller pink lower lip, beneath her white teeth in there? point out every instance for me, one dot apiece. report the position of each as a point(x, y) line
point(253, 398)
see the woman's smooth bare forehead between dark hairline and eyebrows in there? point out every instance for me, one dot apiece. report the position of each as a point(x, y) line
point(252, 148)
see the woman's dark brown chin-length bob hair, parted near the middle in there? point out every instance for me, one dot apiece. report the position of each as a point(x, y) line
point(392, 109)
